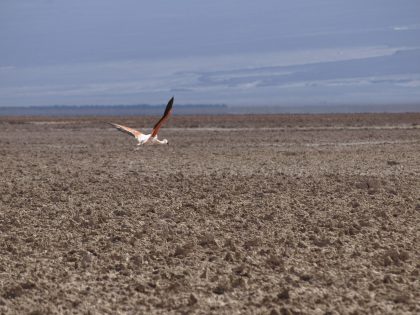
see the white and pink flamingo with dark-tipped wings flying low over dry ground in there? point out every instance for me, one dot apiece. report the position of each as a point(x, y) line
point(152, 137)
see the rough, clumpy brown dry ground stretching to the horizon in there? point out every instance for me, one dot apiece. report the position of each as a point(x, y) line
point(287, 214)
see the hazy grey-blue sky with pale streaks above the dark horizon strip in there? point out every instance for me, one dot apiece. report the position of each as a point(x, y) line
point(235, 52)
